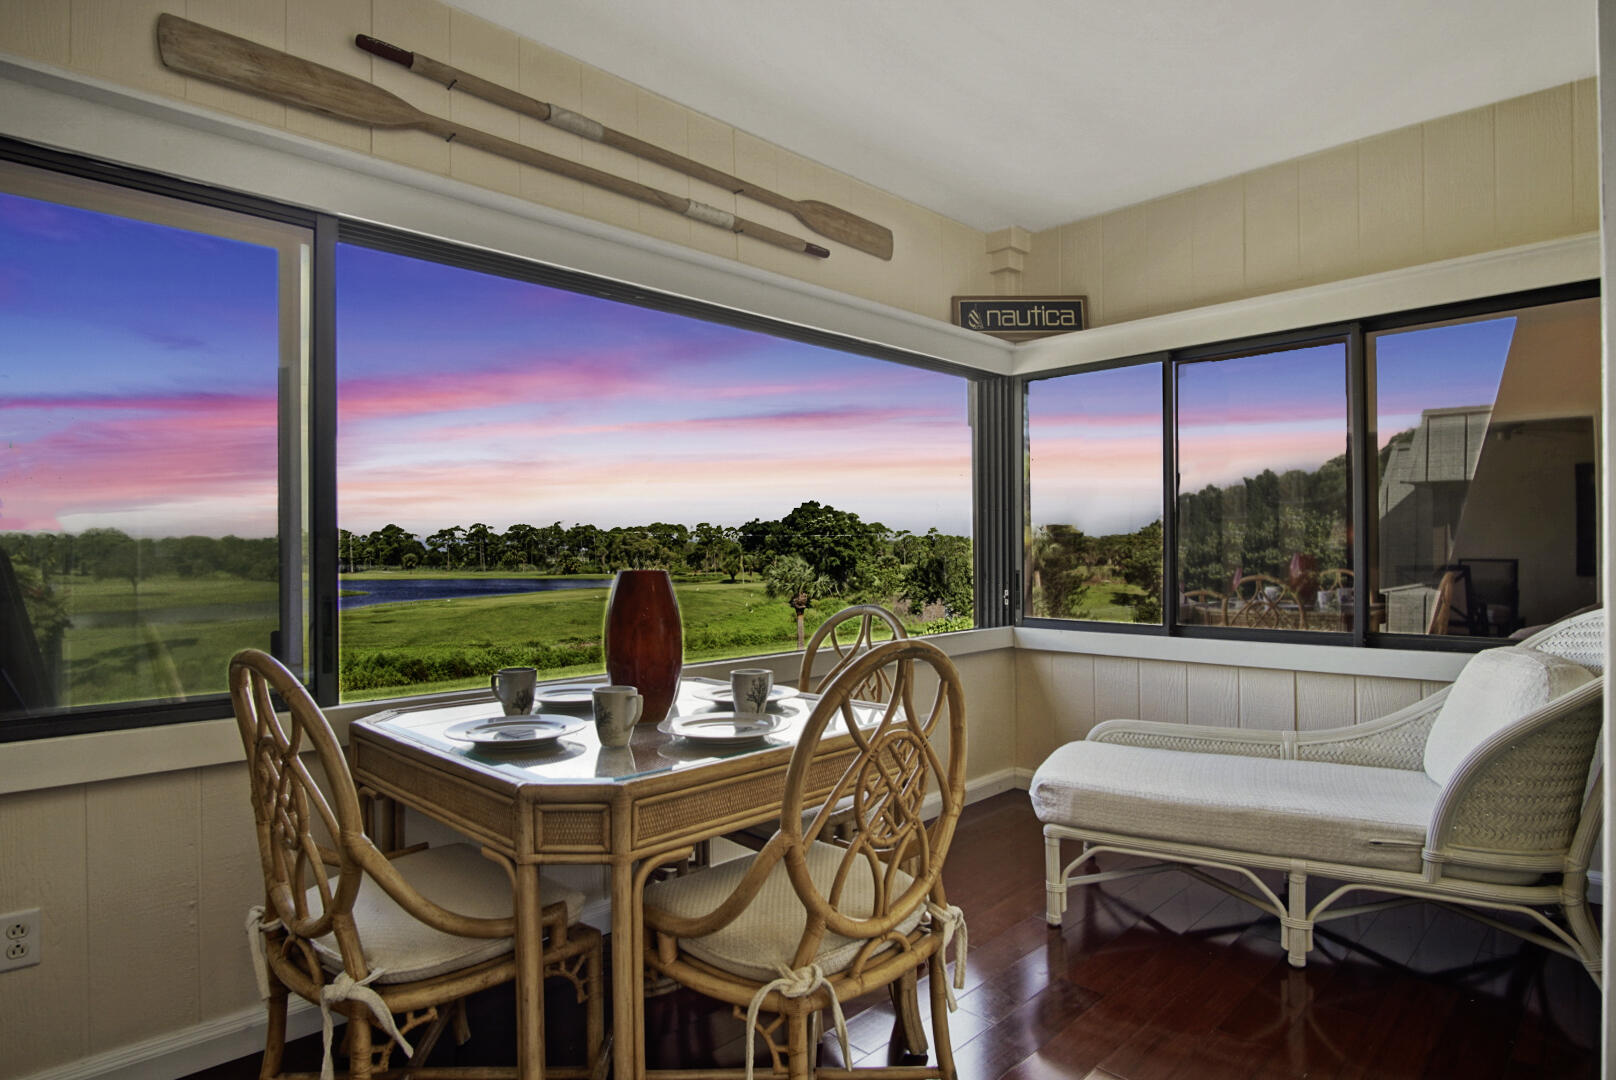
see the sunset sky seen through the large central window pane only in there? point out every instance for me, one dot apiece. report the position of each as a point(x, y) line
point(466, 399)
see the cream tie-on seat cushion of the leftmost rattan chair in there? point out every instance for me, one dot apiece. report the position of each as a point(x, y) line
point(455, 877)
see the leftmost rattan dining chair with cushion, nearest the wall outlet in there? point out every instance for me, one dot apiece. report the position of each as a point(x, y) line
point(353, 930)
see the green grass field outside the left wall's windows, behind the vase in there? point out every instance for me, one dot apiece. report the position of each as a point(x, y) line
point(175, 636)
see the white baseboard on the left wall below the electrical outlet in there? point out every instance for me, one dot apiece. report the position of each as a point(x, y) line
point(188, 1050)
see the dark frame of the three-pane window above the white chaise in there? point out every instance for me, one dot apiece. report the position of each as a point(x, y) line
point(1361, 468)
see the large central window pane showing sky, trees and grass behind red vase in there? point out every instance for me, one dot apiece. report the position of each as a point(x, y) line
point(507, 445)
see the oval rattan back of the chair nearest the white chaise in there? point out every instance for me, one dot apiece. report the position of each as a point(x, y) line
point(893, 858)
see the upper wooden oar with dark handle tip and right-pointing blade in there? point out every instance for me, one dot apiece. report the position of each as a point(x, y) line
point(822, 217)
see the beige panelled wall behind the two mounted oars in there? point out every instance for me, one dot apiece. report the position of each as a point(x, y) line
point(933, 259)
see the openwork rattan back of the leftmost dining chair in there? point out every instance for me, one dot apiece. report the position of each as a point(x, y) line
point(288, 804)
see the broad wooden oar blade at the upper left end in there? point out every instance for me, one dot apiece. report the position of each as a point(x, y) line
point(235, 62)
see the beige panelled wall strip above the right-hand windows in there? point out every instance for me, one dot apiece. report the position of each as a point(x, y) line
point(1510, 174)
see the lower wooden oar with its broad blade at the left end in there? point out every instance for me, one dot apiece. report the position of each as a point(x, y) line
point(235, 62)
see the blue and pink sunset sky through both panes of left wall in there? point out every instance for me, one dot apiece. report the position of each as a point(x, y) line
point(140, 374)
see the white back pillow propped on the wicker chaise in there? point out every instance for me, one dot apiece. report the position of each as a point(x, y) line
point(1496, 690)
